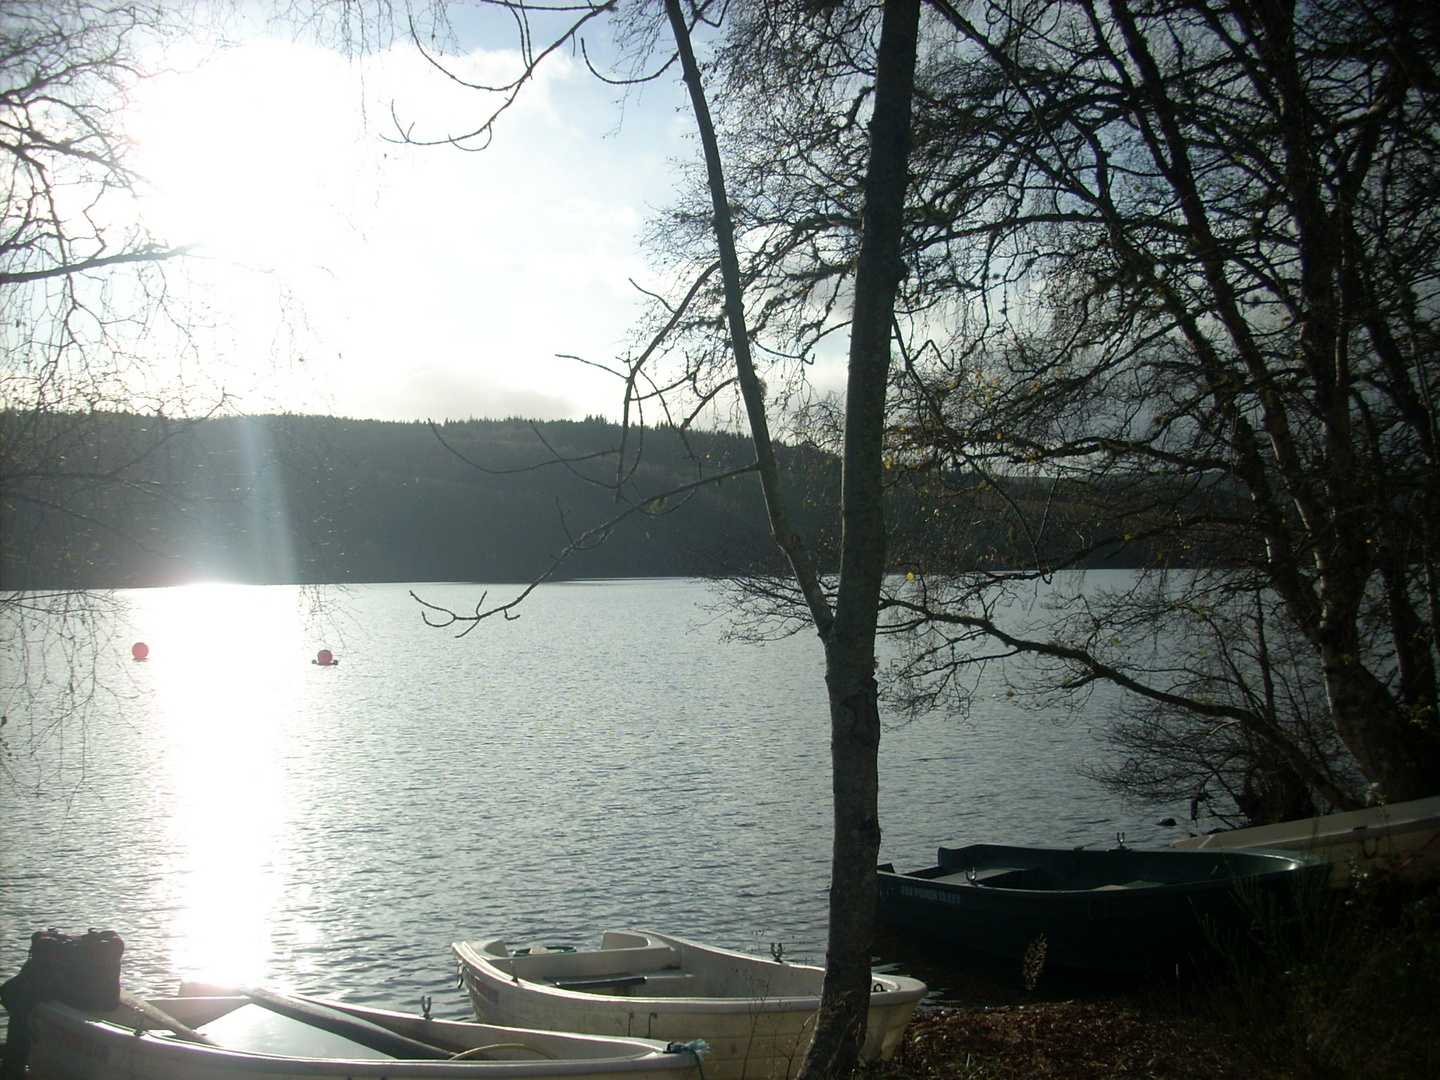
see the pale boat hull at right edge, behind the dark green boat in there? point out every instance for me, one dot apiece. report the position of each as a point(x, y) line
point(1376, 842)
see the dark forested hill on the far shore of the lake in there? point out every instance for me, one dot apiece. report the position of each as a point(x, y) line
point(122, 500)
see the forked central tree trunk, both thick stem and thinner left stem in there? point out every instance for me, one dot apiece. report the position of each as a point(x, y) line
point(849, 631)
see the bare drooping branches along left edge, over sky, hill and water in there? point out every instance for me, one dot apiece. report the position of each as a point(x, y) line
point(81, 289)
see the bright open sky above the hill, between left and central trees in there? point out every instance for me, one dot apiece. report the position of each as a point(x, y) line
point(351, 274)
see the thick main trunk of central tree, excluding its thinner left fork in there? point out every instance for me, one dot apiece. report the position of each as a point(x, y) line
point(850, 649)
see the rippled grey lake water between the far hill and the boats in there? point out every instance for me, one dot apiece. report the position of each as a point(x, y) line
point(603, 762)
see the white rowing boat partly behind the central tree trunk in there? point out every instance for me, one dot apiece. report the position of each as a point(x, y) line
point(755, 1014)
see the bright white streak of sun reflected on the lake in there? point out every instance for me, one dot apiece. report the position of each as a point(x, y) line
point(222, 666)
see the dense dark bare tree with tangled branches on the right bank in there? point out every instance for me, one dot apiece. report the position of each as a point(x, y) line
point(1206, 244)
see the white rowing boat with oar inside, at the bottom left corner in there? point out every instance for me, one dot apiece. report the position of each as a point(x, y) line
point(270, 1038)
